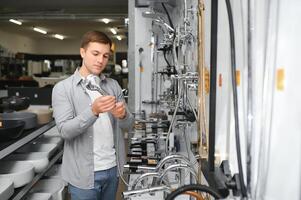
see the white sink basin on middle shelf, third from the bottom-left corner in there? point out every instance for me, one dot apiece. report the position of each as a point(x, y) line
point(49, 149)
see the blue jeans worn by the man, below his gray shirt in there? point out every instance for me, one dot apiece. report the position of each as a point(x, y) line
point(105, 187)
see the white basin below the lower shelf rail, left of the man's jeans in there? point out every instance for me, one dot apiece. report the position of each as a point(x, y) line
point(53, 186)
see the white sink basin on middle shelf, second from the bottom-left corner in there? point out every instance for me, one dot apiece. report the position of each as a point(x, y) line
point(38, 159)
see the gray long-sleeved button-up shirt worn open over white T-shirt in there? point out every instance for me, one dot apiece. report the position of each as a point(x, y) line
point(74, 119)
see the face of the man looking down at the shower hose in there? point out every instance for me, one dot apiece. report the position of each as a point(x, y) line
point(95, 57)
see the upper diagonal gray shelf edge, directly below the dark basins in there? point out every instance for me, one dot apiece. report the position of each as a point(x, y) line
point(11, 148)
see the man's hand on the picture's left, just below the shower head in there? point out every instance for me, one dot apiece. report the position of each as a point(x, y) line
point(103, 104)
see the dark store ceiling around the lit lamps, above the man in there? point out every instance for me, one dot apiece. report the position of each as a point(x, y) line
point(70, 18)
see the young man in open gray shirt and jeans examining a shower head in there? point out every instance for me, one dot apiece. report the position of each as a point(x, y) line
point(90, 123)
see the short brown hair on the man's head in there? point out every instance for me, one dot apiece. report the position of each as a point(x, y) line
point(95, 36)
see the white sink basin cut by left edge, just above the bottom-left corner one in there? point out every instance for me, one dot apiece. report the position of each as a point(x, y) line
point(19, 172)
